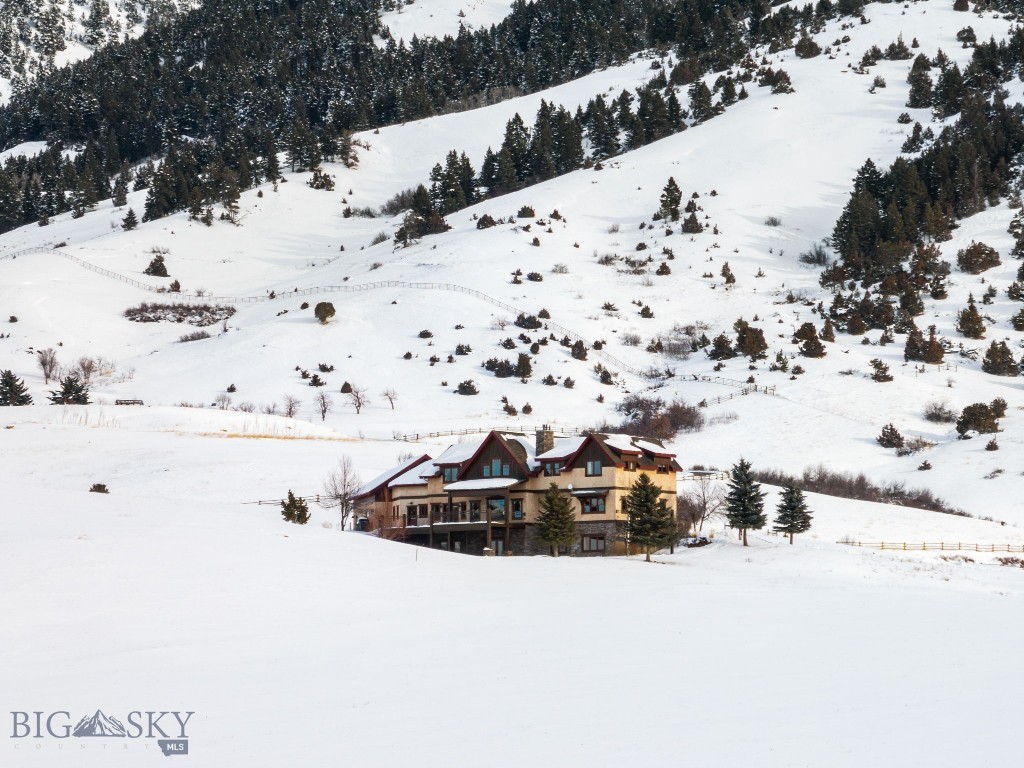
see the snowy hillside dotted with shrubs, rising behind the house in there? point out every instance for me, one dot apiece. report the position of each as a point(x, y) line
point(787, 156)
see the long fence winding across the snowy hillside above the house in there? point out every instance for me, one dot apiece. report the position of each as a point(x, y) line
point(573, 336)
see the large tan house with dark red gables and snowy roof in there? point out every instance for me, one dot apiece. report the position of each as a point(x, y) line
point(487, 494)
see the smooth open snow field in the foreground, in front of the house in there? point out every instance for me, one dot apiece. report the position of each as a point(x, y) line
point(304, 646)
